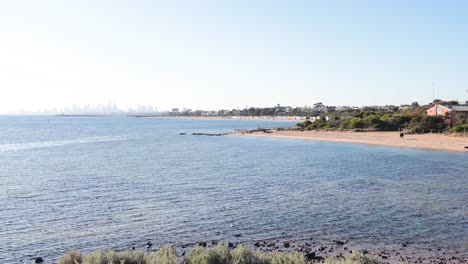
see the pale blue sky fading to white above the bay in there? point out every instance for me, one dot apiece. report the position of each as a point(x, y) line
point(230, 54)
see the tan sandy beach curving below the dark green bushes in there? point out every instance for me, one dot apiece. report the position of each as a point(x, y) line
point(422, 141)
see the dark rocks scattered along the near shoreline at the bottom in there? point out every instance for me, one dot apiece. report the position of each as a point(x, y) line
point(316, 251)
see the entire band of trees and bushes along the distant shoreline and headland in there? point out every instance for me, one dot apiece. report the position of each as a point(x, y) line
point(411, 118)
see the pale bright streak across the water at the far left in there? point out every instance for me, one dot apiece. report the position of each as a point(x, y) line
point(58, 143)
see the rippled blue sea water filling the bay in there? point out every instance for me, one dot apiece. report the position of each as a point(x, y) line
point(87, 183)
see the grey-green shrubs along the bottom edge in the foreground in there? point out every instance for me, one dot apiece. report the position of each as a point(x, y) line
point(218, 255)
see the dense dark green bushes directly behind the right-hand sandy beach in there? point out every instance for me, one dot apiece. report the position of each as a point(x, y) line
point(414, 121)
